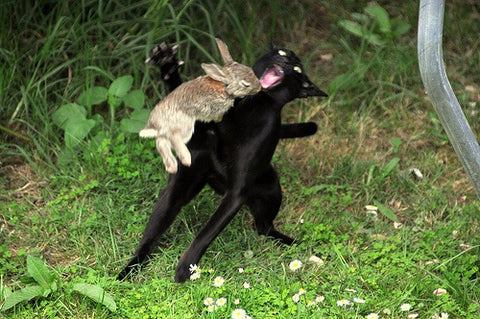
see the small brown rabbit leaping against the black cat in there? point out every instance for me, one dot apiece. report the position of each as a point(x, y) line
point(205, 99)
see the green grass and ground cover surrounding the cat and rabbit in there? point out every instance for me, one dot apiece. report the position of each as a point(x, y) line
point(83, 210)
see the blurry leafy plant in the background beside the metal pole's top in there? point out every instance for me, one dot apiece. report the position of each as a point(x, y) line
point(375, 25)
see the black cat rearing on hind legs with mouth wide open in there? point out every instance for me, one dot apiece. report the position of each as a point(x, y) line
point(233, 157)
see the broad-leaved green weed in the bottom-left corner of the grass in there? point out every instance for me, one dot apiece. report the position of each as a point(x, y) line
point(47, 283)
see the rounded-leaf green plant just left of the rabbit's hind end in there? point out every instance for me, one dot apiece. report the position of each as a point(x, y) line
point(76, 119)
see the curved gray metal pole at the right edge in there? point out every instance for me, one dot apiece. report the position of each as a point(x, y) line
point(432, 70)
